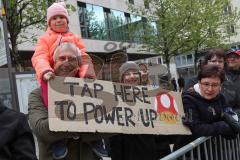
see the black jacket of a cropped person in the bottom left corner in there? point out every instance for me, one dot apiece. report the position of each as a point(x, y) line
point(16, 139)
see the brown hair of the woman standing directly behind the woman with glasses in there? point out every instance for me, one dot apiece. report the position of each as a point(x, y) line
point(218, 52)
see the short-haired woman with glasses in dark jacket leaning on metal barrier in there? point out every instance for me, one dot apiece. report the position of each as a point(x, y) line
point(204, 105)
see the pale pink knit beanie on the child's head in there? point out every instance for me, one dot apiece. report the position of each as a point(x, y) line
point(57, 9)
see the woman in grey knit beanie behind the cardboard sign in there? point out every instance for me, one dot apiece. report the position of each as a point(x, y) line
point(132, 146)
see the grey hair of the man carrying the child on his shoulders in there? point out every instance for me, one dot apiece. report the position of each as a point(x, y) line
point(66, 47)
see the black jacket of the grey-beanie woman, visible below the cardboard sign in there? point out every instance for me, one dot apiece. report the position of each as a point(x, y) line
point(133, 147)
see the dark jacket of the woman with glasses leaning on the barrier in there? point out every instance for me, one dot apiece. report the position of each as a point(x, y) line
point(203, 116)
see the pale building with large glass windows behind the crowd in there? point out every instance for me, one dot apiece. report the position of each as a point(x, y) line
point(103, 26)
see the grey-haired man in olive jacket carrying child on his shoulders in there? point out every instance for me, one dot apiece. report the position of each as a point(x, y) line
point(66, 64)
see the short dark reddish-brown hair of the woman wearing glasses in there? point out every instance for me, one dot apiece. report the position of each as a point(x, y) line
point(211, 70)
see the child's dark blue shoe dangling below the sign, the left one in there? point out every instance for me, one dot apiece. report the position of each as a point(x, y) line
point(59, 150)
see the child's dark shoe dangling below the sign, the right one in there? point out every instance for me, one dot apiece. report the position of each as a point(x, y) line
point(99, 148)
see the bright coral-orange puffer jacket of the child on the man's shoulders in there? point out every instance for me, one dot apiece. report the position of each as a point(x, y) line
point(42, 59)
